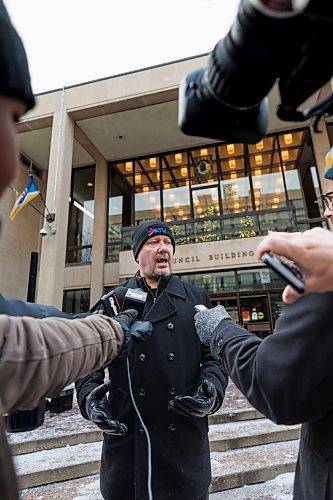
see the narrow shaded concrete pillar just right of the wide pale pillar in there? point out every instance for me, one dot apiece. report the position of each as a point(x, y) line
point(99, 234)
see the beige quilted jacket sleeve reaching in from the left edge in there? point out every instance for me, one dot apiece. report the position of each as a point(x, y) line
point(38, 357)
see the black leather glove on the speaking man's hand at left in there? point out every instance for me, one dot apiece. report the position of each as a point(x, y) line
point(97, 410)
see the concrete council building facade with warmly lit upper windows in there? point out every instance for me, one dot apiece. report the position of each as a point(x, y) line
point(108, 154)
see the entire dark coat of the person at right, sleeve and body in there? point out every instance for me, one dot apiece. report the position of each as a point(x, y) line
point(288, 376)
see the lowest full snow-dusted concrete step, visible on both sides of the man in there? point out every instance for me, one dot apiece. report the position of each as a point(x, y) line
point(230, 469)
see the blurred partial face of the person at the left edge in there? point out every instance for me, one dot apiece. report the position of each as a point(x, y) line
point(10, 111)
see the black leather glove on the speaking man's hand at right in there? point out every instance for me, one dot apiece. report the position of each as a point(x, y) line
point(204, 401)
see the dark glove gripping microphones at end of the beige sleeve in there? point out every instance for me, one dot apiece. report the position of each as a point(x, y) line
point(138, 330)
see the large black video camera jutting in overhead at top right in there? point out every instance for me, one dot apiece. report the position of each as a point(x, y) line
point(227, 100)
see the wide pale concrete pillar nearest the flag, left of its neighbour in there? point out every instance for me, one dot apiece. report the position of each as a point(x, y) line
point(53, 251)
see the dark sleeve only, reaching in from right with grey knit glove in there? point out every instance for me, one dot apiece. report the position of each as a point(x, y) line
point(287, 376)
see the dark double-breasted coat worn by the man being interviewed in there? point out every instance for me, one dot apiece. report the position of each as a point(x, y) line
point(170, 363)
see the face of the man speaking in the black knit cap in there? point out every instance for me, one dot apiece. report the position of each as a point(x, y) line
point(155, 257)
